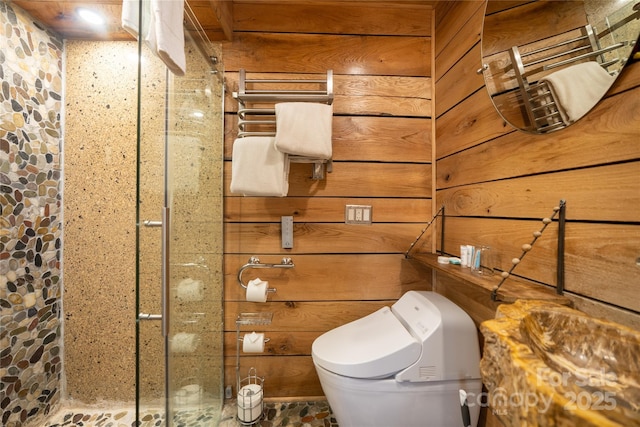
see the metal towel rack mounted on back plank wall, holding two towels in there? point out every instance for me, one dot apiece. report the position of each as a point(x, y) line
point(256, 107)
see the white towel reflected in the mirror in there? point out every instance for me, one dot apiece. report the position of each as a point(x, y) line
point(578, 88)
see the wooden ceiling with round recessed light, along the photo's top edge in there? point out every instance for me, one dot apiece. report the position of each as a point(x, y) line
point(215, 16)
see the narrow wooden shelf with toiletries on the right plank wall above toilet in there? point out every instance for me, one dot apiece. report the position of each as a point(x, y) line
point(511, 290)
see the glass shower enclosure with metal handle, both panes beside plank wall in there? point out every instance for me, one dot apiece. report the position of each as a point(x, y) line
point(179, 235)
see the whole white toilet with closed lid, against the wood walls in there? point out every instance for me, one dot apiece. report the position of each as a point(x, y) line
point(402, 366)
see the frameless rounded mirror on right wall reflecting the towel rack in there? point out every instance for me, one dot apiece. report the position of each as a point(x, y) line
point(546, 63)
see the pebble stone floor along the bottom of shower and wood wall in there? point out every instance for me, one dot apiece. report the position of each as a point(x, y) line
point(288, 414)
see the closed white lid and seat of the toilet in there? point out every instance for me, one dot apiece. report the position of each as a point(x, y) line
point(375, 346)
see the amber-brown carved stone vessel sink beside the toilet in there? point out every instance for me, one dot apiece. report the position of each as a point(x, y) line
point(550, 365)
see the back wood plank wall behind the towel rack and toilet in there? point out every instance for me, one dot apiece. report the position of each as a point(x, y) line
point(381, 58)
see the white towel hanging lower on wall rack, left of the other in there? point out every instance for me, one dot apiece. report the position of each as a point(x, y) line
point(258, 169)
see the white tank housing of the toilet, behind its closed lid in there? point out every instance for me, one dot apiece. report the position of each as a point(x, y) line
point(450, 348)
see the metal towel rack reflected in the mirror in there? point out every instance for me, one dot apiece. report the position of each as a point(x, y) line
point(540, 106)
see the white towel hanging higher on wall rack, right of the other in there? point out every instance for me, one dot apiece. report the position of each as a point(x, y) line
point(304, 129)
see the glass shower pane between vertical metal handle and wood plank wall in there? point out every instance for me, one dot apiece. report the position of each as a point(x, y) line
point(194, 200)
